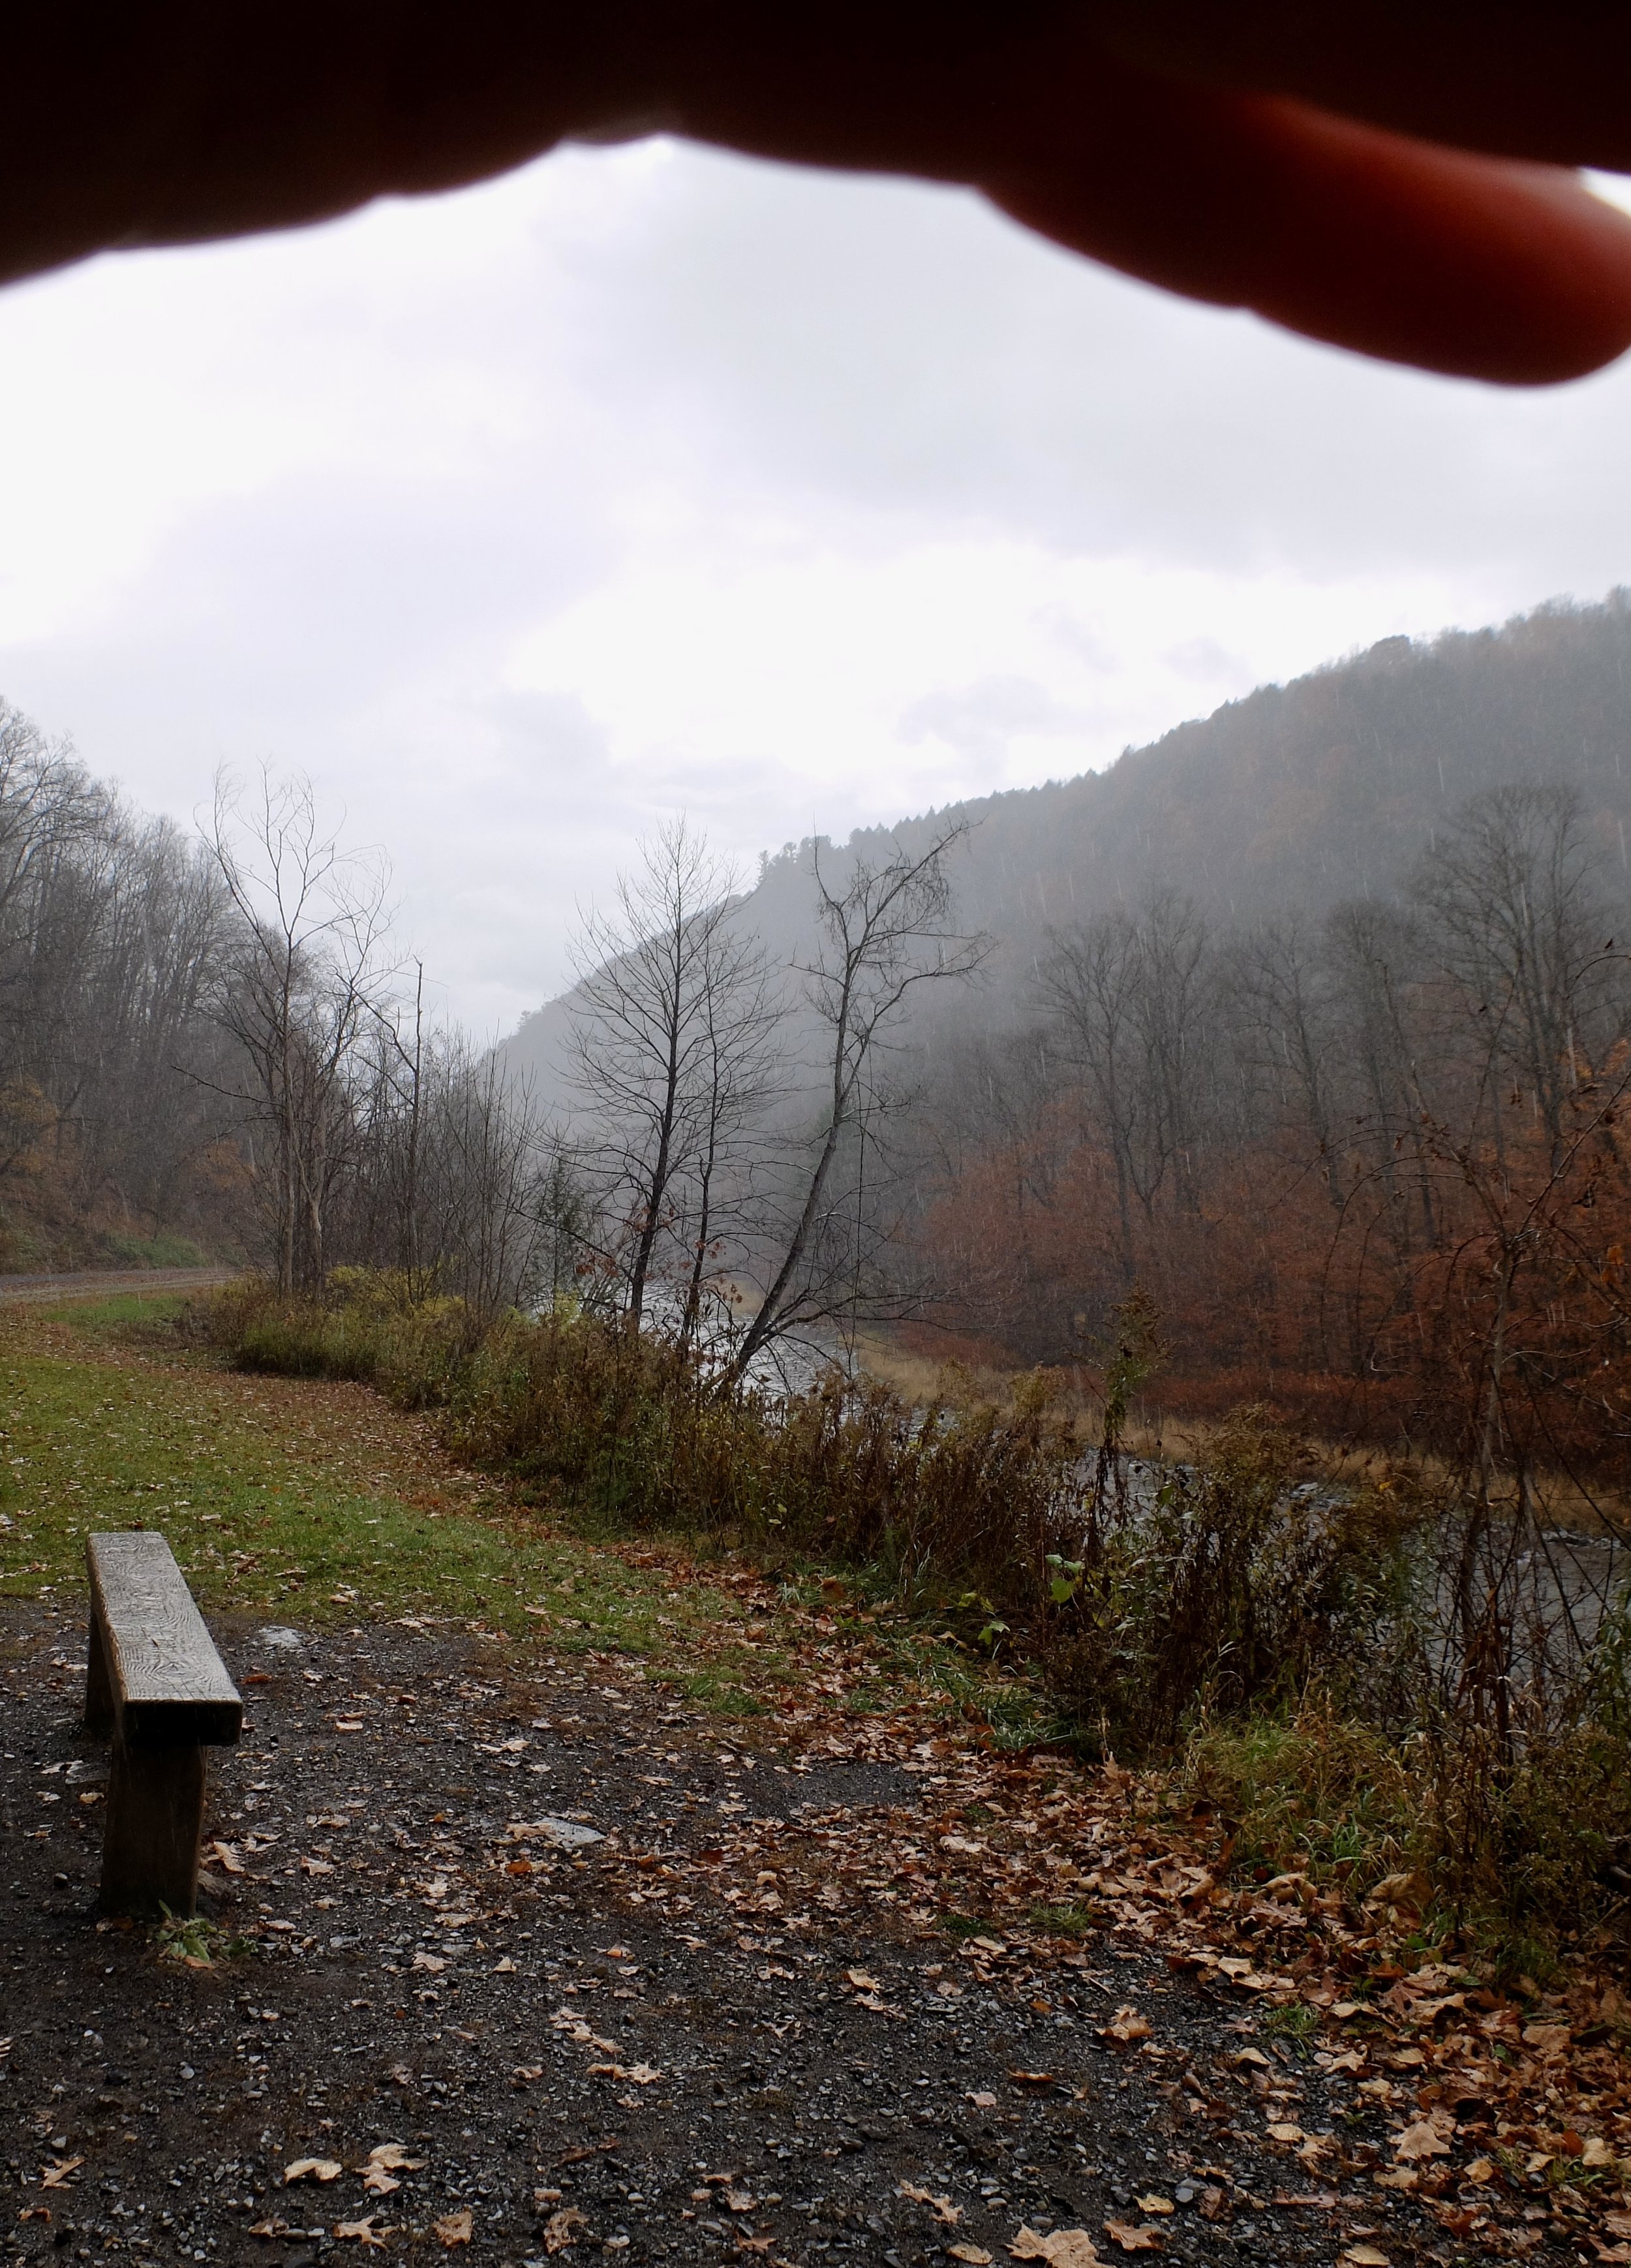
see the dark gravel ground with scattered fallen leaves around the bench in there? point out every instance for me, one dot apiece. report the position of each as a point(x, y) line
point(589, 2054)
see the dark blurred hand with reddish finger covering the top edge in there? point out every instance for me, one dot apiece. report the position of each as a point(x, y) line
point(1394, 176)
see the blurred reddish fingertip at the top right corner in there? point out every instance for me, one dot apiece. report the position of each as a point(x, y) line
point(1355, 237)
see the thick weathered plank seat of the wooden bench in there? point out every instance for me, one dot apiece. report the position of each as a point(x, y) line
point(167, 1684)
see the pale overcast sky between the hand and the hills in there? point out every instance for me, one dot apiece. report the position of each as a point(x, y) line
point(661, 480)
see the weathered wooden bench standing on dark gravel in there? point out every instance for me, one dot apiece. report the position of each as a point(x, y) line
point(160, 1689)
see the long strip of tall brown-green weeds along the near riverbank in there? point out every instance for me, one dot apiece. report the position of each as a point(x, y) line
point(1351, 1670)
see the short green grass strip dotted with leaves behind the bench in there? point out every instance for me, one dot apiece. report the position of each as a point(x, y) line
point(316, 1503)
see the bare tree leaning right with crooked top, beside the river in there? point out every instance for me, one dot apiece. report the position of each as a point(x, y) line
point(886, 933)
